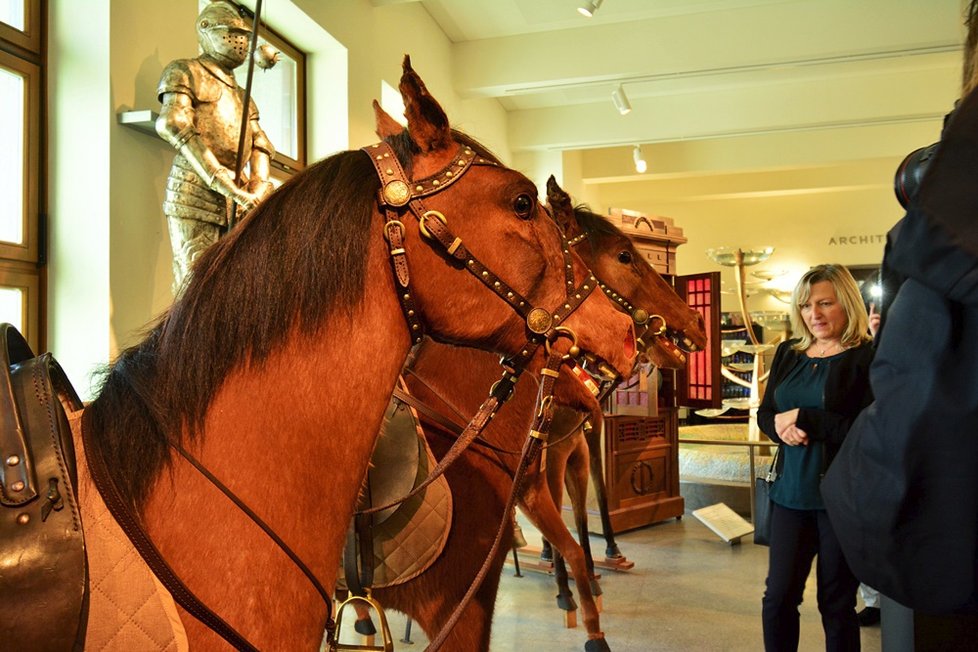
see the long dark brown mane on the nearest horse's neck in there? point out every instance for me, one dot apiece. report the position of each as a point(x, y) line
point(298, 256)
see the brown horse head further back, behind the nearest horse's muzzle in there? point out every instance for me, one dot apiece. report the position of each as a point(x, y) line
point(665, 323)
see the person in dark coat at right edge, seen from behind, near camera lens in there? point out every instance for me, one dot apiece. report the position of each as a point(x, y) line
point(903, 494)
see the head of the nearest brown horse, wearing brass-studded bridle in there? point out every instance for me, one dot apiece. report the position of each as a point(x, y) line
point(501, 233)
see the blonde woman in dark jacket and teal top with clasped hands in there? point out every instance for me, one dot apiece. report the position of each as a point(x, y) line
point(817, 385)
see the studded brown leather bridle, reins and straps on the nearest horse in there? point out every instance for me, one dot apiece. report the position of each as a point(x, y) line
point(397, 196)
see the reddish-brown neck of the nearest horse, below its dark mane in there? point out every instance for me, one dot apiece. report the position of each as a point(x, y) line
point(291, 437)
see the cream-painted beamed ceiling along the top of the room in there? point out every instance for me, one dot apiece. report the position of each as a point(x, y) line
point(700, 68)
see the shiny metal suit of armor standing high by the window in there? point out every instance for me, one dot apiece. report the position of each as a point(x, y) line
point(201, 118)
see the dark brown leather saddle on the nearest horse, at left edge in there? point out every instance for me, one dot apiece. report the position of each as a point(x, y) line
point(43, 566)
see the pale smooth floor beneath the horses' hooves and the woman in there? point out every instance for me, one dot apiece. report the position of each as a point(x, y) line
point(688, 591)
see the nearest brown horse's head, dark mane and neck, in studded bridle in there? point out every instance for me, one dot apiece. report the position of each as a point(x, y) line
point(227, 431)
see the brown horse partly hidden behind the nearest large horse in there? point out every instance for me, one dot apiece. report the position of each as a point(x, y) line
point(451, 381)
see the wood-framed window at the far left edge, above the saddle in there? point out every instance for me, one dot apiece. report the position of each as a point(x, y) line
point(21, 252)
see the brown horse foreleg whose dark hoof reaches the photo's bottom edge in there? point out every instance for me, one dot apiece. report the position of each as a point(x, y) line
point(541, 509)
